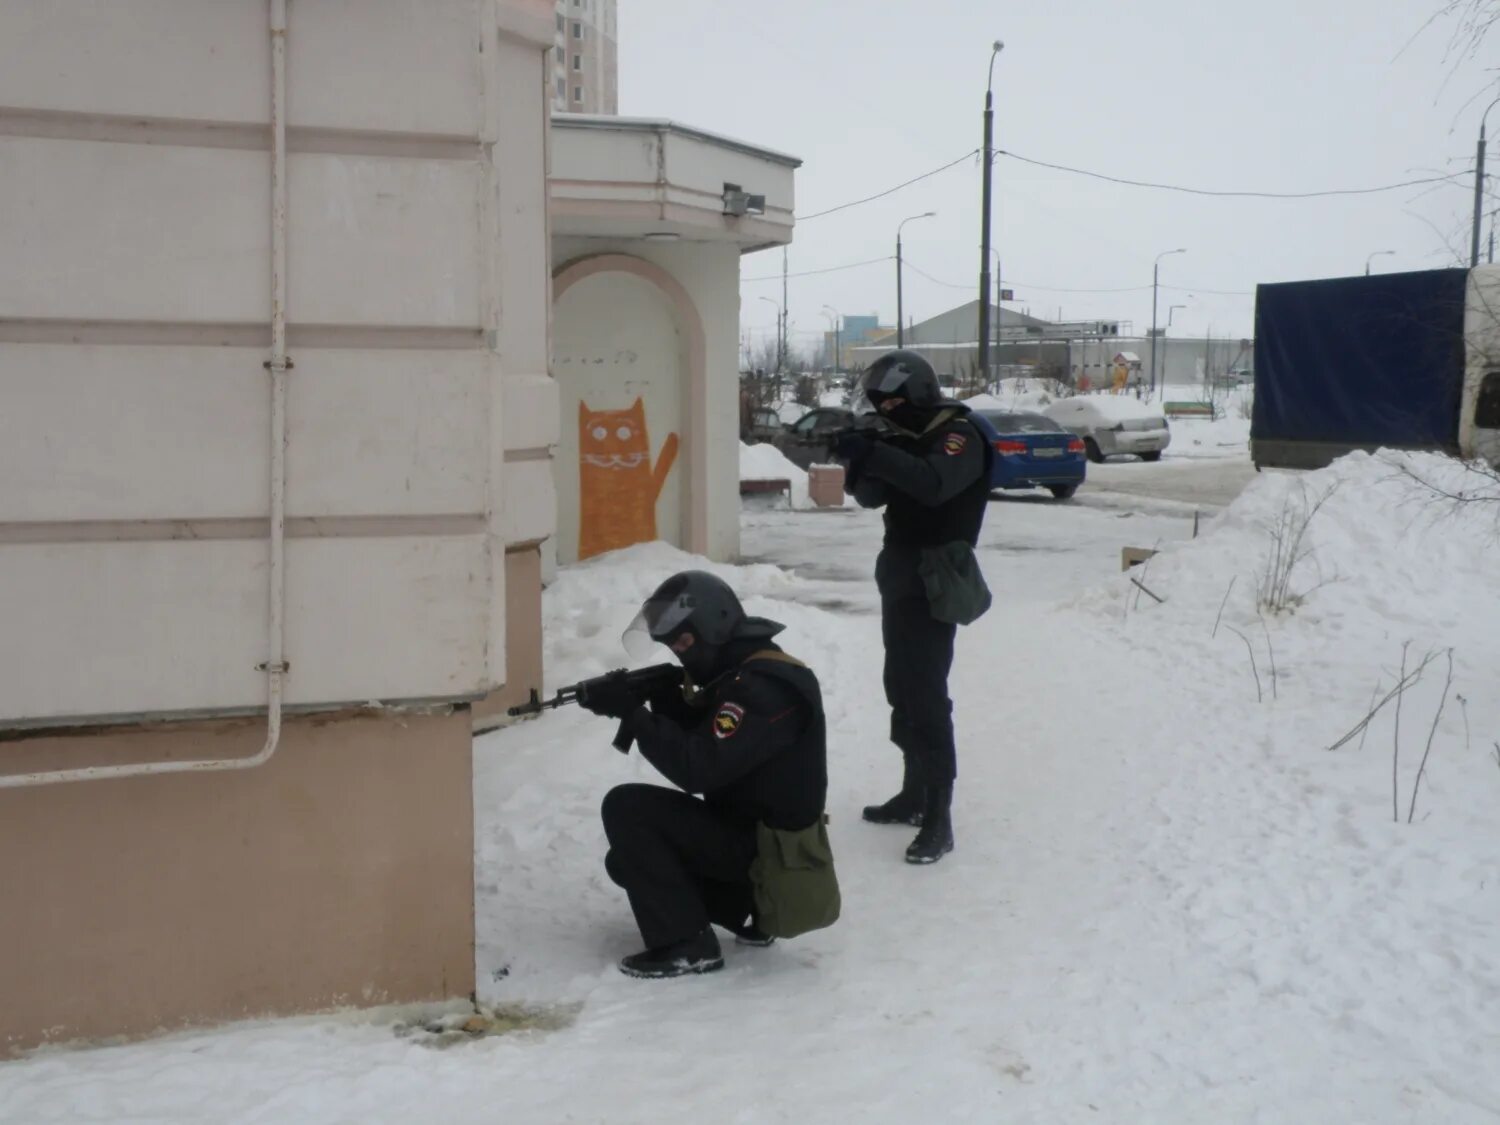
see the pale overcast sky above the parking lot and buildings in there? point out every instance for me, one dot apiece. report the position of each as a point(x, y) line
point(1261, 95)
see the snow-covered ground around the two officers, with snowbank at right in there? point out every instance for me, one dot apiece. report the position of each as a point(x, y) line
point(1171, 902)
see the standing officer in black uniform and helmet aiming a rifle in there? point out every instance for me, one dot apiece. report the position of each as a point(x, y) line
point(929, 467)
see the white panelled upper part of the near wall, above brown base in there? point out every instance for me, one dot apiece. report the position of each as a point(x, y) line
point(134, 308)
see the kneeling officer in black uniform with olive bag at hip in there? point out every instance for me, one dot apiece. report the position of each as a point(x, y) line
point(746, 731)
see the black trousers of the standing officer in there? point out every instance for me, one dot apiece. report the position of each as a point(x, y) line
point(919, 655)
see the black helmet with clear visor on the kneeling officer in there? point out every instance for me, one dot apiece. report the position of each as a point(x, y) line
point(704, 607)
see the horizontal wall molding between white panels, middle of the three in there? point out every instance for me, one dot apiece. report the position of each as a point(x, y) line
point(239, 335)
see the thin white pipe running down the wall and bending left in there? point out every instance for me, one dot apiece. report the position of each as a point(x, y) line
point(275, 667)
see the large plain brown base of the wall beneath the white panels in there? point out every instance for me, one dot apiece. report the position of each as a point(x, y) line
point(340, 874)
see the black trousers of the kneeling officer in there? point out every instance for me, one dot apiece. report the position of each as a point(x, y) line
point(683, 863)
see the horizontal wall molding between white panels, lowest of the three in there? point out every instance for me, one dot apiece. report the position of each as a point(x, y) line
point(298, 527)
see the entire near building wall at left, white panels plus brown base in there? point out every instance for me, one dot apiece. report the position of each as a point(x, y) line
point(134, 464)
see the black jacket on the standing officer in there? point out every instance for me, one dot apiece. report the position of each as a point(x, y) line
point(935, 490)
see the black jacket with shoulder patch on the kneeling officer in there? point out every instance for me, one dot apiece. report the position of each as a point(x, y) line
point(754, 743)
